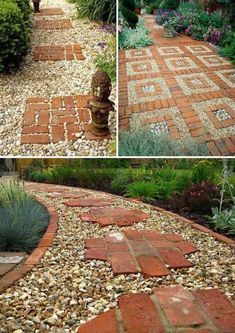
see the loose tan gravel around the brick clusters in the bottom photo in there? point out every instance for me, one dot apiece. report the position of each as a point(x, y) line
point(64, 291)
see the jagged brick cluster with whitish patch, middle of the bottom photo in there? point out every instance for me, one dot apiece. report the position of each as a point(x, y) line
point(148, 252)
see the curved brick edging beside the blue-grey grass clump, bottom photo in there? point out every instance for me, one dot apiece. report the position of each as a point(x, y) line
point(14, 275)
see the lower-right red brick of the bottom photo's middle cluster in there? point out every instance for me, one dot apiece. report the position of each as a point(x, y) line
point(174, 259)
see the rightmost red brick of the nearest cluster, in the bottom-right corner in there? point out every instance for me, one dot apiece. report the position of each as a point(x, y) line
point(218, 308)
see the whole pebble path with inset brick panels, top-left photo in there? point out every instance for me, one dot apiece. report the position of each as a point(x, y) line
point(56, 75)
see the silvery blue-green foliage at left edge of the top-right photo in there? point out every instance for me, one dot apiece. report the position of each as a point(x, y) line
point(134, 38)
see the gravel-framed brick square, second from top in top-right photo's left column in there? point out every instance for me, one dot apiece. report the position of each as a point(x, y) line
point(142, 67)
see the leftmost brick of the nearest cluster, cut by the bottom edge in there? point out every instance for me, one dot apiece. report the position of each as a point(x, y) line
point(105, 323)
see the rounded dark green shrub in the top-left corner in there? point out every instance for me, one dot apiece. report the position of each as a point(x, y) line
point(14, 32)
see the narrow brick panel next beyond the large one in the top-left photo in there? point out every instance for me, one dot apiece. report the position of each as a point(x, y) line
point(58, 52)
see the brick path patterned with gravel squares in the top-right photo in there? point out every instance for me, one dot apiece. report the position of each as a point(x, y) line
point(179, 87)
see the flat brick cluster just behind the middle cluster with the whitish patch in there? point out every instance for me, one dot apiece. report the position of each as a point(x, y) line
point(114, 215)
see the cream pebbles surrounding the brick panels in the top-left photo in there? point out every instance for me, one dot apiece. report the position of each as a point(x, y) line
point(48, 79)
